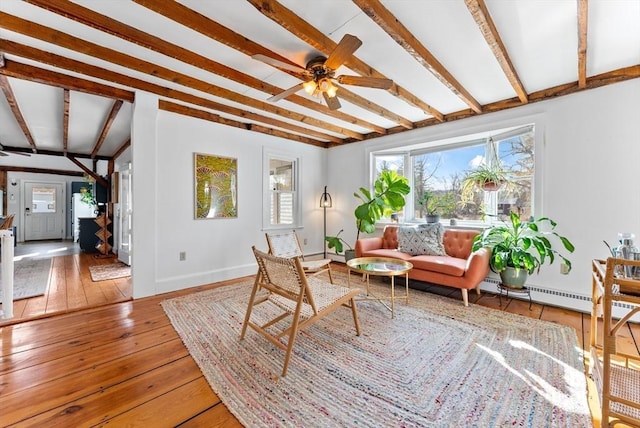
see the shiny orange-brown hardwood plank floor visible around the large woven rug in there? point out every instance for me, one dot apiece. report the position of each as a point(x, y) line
point(123, 364)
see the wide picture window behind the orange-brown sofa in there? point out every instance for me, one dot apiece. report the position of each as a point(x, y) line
point(440, 170)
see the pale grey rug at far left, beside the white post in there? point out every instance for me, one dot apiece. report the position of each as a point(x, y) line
point(30, 278)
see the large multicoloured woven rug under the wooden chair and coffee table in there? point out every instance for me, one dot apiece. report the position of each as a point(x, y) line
point(436, 364)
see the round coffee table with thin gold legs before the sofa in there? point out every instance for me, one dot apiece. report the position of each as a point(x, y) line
point(382, 266)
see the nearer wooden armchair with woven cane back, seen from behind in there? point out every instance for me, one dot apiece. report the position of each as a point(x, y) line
point(304, 299)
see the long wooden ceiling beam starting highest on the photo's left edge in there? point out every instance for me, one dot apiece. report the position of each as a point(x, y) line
point(59, 38)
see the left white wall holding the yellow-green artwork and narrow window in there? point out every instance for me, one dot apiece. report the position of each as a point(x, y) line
point(163, 201)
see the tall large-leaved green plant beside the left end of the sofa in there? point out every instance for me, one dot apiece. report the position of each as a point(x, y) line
point(388, 196)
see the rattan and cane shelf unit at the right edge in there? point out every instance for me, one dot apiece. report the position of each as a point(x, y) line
point(616, 375)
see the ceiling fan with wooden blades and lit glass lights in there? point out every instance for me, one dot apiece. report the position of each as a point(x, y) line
point(319, 74)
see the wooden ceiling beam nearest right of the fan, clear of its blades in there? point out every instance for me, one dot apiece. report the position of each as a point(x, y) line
point(401, 34)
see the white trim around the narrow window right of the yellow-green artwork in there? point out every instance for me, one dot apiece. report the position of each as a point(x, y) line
point(267, 155)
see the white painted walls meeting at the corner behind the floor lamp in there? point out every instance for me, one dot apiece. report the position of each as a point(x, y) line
point(588, 153)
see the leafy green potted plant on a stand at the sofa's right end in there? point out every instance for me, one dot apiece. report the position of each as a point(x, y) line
point(519, 248)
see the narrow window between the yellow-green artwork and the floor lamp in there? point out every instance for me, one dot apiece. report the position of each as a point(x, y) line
point(282, 191)
